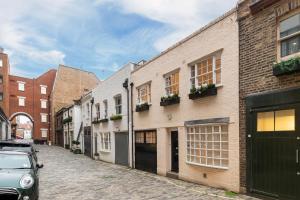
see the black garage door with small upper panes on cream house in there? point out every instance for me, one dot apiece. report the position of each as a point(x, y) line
point(145, 151)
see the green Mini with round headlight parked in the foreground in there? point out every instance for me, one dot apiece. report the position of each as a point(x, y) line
point(19, 174)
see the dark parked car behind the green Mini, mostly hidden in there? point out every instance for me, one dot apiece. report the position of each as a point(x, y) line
point(19, 146)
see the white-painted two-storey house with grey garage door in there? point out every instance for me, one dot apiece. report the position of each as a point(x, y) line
point(111, 117)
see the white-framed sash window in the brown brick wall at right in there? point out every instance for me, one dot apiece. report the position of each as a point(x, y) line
point(289, 35)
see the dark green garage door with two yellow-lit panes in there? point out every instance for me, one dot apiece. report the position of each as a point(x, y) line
point(274, 144)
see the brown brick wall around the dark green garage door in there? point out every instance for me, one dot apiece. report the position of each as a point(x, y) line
point(258, 39)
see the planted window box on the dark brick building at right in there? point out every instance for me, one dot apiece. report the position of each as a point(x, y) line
point(286, 67)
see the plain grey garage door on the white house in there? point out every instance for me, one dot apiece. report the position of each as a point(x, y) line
point(121, 148)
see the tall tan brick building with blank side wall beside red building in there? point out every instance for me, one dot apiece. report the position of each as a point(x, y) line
point(70, 84)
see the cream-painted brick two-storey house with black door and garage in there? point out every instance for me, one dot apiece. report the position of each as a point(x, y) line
point(186, 119)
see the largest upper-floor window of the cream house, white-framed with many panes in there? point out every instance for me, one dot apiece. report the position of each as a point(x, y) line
point(207, 71)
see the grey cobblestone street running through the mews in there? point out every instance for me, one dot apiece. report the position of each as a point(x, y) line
point(67, 176)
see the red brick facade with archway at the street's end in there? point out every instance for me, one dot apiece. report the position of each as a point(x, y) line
point(33, 96)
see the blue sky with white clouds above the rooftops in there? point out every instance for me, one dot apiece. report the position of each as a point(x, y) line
point(97, 35)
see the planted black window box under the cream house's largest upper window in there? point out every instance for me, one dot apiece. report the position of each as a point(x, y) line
point(204, 90)
